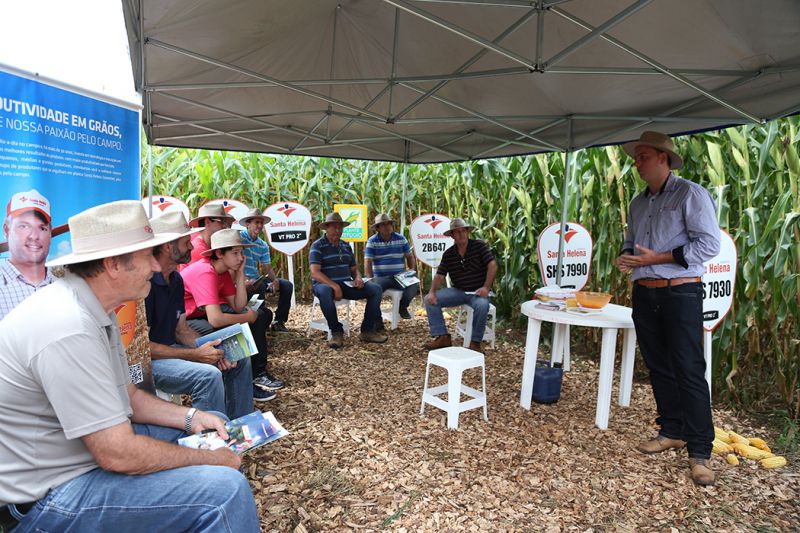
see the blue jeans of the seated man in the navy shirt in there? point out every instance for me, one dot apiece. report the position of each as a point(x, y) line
point(211, 389)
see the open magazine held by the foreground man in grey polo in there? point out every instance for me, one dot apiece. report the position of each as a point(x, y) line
point(244, 433)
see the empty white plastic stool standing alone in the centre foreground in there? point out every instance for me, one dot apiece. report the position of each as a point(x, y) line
point(455, 359)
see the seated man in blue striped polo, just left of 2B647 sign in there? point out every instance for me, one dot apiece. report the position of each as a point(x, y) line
point(386, 254)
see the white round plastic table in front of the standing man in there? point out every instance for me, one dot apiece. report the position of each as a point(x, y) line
point(612, 318)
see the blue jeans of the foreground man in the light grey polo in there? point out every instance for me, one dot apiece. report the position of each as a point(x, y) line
point(192, 498)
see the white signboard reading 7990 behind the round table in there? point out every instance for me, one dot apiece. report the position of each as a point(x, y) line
point(577, 262)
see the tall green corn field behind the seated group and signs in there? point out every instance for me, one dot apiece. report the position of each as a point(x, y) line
point(751, 171)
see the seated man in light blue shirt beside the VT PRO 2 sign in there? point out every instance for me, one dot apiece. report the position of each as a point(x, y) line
point(256, 255)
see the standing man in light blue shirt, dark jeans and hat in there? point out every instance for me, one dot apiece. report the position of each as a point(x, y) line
point(672, 230)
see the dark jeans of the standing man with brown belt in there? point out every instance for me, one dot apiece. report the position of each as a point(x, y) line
point(669, 326)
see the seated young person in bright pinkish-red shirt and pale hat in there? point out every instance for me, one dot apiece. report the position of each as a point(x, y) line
point(215, 297)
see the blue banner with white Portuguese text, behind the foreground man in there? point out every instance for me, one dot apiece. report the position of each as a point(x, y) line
point(76, 151)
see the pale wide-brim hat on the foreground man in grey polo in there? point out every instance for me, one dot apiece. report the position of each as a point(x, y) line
point(109, 230)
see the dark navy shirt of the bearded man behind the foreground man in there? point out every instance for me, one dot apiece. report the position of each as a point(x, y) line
point(164, 306)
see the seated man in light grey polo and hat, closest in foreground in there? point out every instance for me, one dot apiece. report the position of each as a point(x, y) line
point(81, 448)
